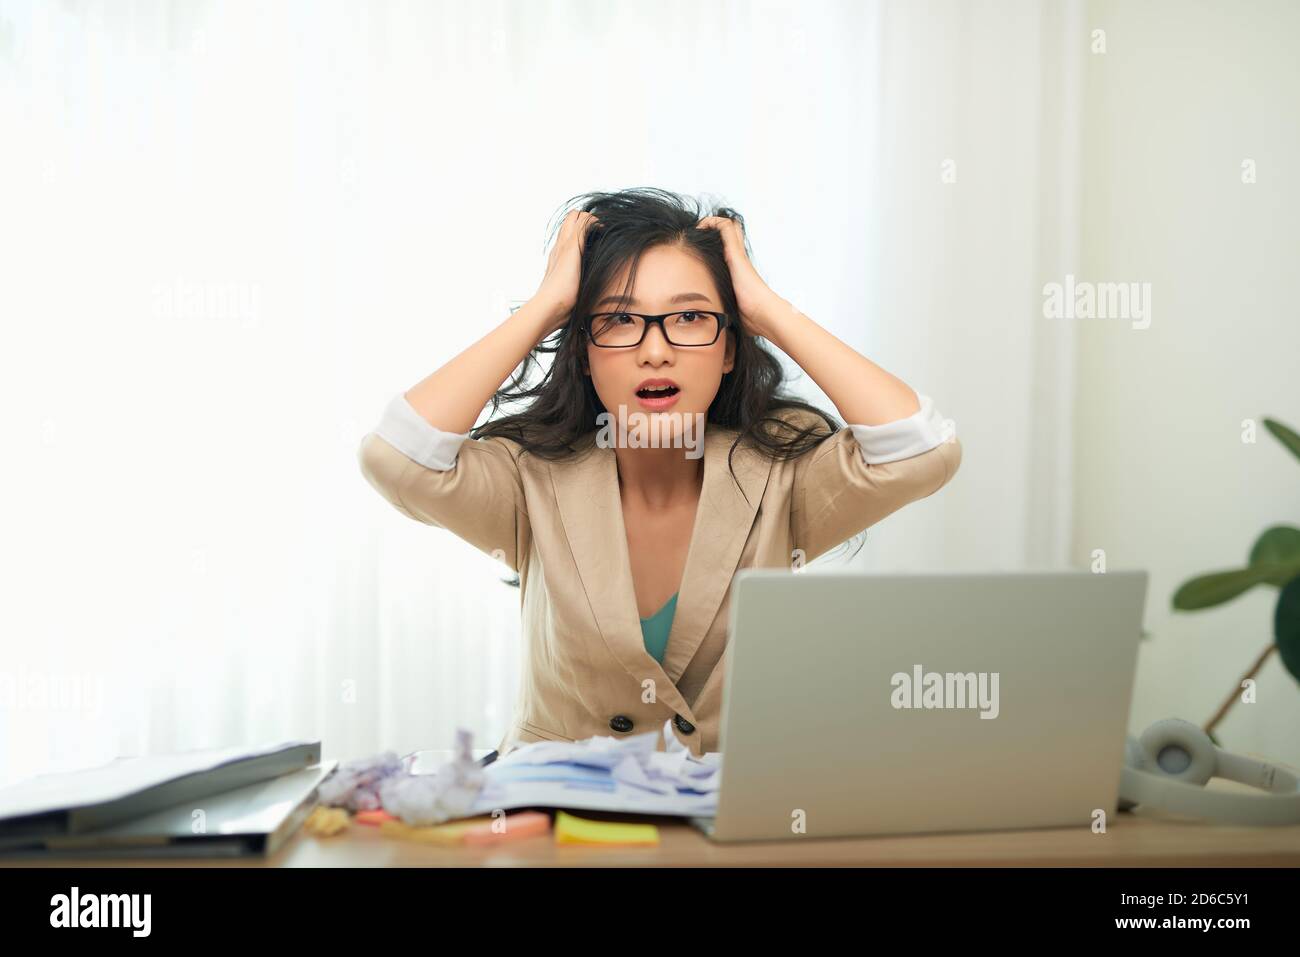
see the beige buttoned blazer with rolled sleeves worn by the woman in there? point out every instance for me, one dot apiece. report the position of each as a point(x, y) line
point(586, 668)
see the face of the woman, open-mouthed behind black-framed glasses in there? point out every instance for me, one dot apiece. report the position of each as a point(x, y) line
point(666, 276)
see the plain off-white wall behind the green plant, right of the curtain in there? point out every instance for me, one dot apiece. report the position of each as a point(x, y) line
point(1184, 94)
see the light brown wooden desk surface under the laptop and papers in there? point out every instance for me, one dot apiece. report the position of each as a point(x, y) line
point(1133, 841)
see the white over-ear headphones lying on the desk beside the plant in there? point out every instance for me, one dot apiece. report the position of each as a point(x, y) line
point(1169, 765)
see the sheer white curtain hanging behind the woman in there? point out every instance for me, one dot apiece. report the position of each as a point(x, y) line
point(231, 232)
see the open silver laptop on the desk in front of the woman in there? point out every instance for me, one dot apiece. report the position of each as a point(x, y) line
point(860, 705)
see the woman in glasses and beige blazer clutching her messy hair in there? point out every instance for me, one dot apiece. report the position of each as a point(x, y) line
point(625, 549)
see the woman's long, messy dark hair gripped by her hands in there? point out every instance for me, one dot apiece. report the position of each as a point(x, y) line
point(564, 404)
